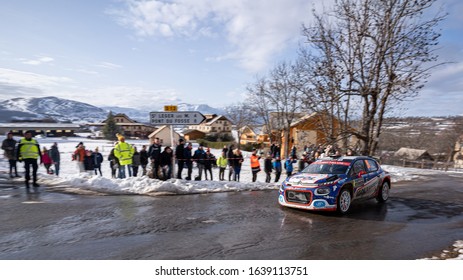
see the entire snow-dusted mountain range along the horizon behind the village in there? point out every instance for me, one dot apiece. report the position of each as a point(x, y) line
point(65, 110)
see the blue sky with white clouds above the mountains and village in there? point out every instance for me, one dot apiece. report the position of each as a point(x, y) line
point(144, 54)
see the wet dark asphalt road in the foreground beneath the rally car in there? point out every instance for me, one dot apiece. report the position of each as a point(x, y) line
point(420, 220)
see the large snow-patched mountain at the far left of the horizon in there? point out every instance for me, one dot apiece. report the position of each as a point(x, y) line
point(58, 109)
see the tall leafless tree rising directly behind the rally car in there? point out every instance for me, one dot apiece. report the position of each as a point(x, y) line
point(382, 52)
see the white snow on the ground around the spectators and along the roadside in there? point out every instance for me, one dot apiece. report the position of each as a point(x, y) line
point(70, 180)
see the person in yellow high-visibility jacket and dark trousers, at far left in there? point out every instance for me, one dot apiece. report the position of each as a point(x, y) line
point(29, 151)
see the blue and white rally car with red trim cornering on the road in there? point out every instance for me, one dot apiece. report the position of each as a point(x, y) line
point(332, 184)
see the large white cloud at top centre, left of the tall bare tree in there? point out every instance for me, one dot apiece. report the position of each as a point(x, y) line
point(256, 30)
